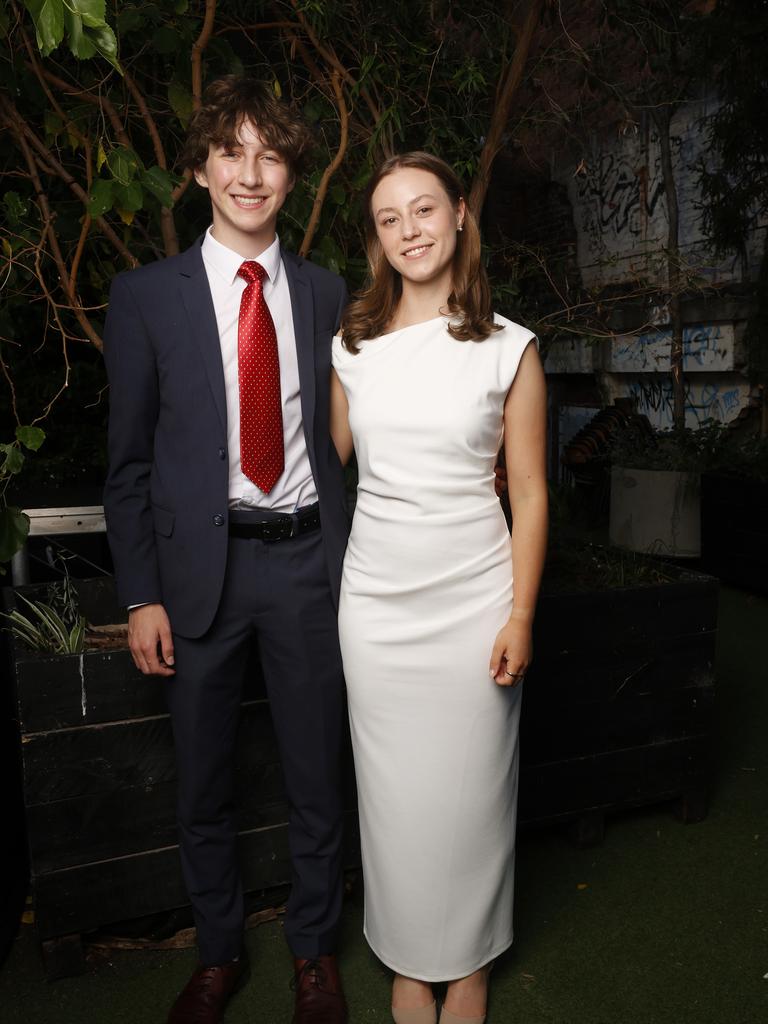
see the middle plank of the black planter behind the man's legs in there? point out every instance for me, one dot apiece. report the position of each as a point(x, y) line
point(115, 800)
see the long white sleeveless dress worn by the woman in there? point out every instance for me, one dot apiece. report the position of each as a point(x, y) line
point(426, 587)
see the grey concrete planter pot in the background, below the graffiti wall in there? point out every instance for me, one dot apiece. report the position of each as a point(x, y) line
point(656, 511)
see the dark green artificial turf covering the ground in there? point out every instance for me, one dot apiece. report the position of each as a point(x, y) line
point(663, 924)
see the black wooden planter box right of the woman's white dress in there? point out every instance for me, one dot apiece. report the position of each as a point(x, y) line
point(618, 702)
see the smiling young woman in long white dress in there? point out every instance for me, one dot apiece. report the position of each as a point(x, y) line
point(428, 382)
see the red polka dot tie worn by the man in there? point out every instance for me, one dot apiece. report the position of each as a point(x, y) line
point(262, 453)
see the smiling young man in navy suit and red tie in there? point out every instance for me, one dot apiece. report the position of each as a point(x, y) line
point(227, 519)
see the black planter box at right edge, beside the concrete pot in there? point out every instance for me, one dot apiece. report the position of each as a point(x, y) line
point(735, 530)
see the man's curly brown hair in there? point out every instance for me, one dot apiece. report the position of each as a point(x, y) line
point(231, 101)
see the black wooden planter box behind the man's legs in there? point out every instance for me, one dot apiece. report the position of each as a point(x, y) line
point(100, 789)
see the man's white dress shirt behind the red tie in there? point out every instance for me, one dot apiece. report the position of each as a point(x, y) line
point(295, 488)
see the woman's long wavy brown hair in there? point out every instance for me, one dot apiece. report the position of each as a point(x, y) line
point(470, 304)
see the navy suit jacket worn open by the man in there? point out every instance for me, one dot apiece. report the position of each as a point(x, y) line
point(167, 489)
